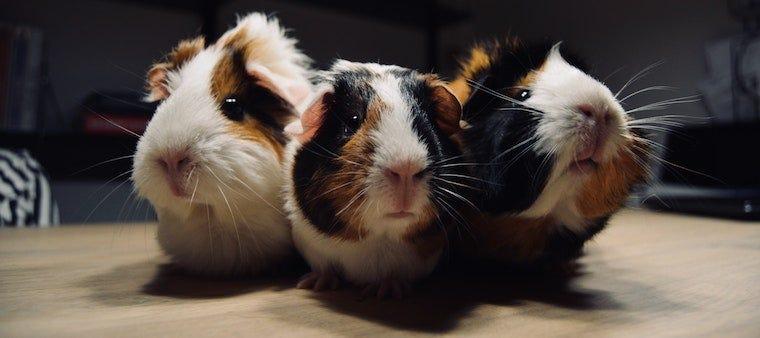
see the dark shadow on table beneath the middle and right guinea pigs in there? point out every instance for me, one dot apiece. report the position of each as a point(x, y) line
point(440, 303)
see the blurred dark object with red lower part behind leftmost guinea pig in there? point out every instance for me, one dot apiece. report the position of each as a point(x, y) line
point(106, 113)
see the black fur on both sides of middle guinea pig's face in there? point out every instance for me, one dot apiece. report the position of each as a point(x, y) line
point(345, 112)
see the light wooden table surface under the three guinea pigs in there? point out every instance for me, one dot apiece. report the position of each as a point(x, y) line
point(647, 275)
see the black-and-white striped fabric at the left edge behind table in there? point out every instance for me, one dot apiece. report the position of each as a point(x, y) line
point(25, 197)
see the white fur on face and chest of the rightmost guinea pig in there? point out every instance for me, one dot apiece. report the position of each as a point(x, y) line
point(558, 90)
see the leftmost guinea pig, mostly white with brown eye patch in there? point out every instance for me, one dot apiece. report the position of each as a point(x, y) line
point(210, 160)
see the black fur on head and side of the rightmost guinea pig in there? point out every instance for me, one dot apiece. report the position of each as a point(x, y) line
point(514, 175)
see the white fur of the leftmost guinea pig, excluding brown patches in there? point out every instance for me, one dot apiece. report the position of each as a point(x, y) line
point(232, 223)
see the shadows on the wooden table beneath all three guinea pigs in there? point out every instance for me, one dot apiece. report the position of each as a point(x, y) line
point(437, 305)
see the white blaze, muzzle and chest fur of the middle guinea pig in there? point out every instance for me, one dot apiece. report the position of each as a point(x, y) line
point(381, 254)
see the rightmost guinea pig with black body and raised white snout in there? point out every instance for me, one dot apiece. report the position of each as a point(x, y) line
point(552, 150)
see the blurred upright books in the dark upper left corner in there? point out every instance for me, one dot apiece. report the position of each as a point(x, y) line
point(20, 77)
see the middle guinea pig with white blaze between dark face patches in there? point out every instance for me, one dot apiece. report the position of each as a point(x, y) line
point(374, 178)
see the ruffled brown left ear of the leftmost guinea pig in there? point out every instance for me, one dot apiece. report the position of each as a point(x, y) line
point(158, 75)
